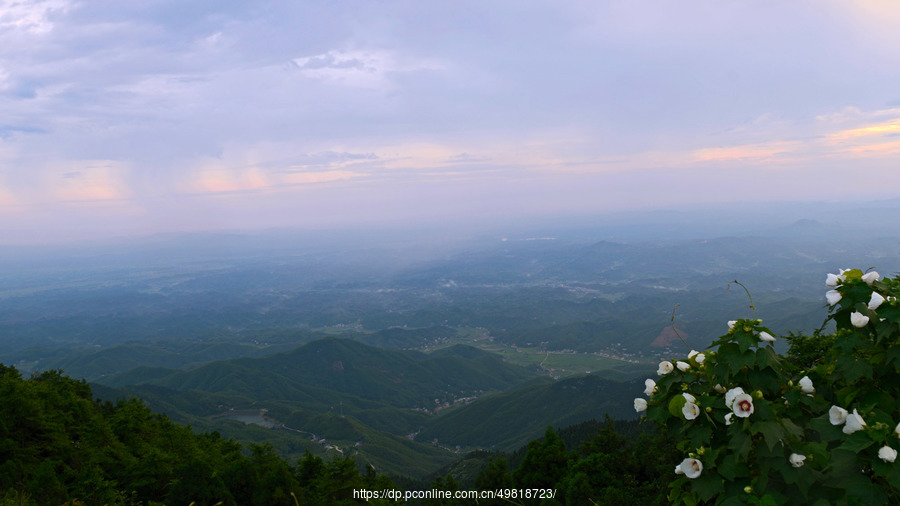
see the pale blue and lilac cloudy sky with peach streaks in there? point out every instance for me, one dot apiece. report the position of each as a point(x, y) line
point(130, 118)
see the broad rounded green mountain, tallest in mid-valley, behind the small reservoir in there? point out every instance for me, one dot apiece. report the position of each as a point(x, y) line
point(399, 378)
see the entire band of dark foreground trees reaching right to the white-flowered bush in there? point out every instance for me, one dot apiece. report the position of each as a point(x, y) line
point(58, 445)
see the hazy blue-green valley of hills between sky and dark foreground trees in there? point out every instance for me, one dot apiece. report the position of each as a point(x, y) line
point(401, 358)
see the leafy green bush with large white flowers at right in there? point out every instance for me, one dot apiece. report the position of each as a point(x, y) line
point(758, 428)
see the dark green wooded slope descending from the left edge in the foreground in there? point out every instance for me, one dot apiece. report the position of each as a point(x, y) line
point(58, 445)
